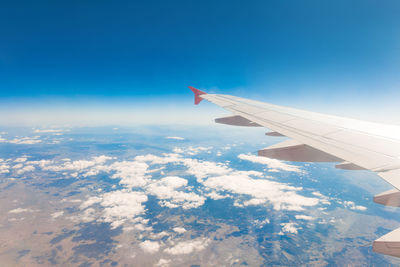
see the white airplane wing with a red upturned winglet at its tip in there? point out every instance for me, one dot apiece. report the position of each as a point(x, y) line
point(315, 137)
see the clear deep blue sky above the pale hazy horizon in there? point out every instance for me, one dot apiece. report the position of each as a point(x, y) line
point(301, 53)
